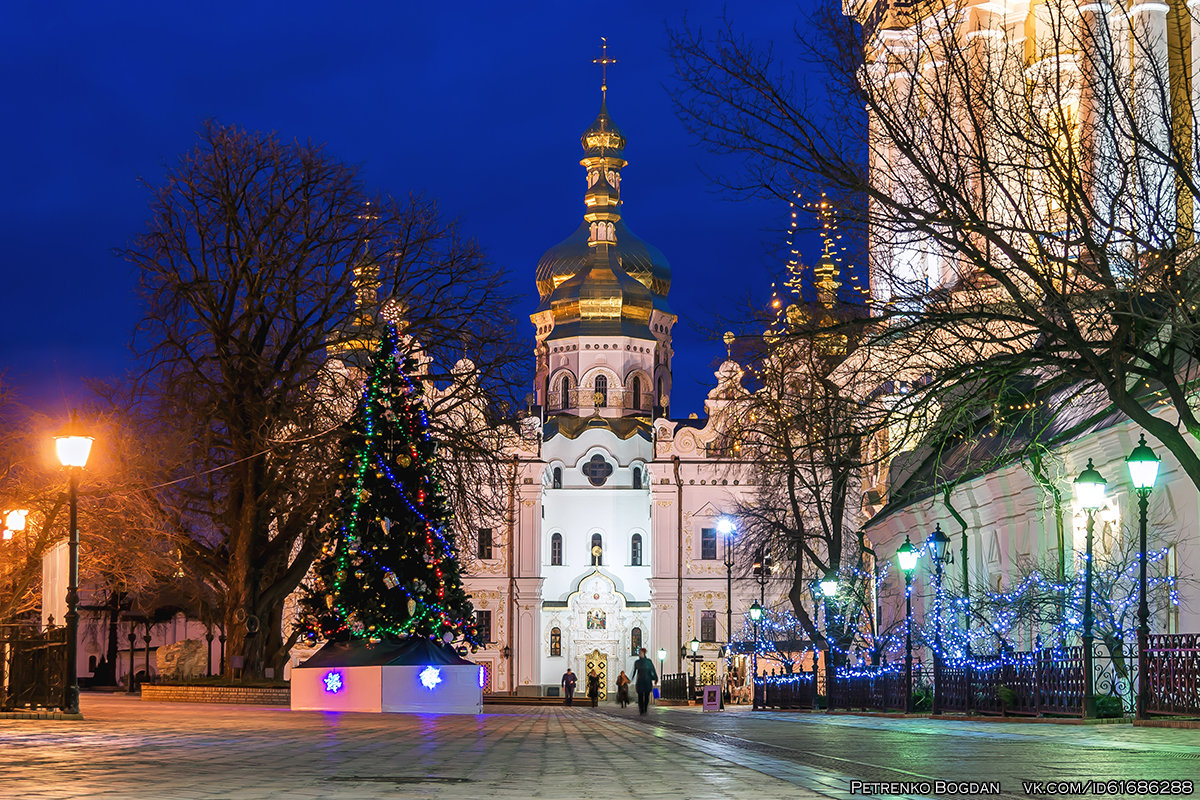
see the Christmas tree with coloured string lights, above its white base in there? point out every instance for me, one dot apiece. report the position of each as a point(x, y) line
point(389, 569)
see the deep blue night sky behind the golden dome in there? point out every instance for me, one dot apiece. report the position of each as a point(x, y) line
point(478, 105)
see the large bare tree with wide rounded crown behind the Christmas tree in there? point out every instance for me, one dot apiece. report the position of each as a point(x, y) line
point(263, 268)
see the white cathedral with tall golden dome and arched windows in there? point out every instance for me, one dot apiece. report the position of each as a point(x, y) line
point(611, 543)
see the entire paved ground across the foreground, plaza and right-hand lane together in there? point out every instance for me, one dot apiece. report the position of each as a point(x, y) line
point(129, 749)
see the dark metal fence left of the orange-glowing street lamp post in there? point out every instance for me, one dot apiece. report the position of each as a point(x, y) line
point(33, 667)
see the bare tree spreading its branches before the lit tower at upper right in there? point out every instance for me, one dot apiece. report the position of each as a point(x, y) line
point(1030, 199)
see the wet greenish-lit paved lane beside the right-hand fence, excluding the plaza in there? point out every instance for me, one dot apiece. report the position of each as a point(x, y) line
point(838, 748)
